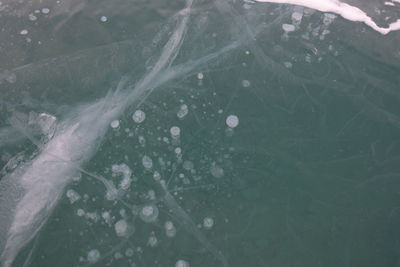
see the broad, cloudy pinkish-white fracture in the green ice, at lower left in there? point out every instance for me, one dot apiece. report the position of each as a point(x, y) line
point(40, 183)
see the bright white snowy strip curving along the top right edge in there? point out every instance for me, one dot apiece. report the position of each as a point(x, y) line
point(347, 11)
